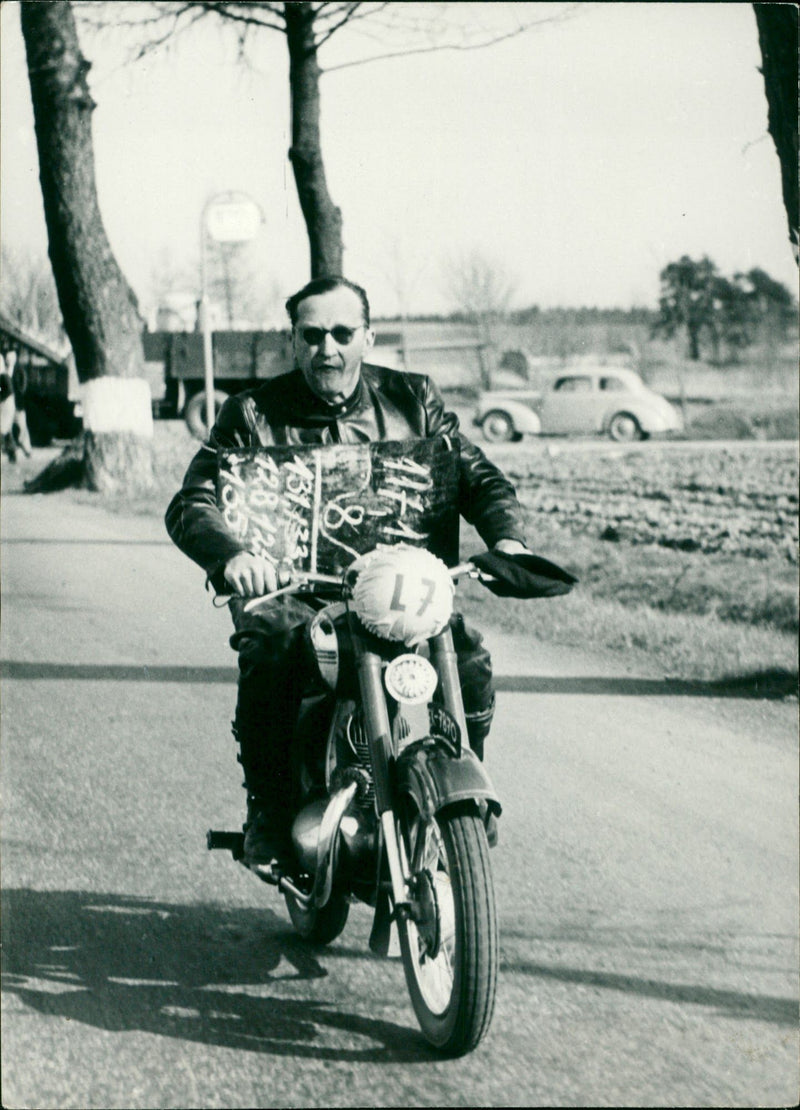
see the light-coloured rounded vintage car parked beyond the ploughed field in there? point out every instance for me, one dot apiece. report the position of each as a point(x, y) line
point(602, 400)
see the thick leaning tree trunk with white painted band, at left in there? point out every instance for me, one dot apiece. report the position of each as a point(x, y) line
point(99, 308)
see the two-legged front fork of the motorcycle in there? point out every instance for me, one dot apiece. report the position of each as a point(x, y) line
point(379, 731)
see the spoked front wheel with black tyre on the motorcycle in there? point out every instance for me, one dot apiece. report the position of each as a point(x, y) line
point(450, 945)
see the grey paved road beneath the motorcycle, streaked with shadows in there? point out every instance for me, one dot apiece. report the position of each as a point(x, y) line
point(647, 874)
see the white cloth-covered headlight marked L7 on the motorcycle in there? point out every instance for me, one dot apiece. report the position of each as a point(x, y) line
point(403, 594)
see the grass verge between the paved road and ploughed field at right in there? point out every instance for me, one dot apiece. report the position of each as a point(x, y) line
point(692, 618)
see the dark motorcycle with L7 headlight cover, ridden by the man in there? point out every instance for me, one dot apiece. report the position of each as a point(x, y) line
point(393, 809)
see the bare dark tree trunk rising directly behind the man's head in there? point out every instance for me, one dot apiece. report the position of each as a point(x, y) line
point(323, 219)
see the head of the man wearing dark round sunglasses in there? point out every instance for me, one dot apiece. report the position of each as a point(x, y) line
point(331, 364)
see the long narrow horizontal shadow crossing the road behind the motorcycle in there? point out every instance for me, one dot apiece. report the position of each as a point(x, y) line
point(764, 685)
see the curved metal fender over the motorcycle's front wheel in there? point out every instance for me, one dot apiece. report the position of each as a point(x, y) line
point(434, 778)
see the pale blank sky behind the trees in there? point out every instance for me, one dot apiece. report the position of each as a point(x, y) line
point(579, 159)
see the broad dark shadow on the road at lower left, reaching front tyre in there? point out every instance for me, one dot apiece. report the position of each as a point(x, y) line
point(197, 973)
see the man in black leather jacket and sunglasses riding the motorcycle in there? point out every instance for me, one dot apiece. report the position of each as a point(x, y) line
point(330, 397)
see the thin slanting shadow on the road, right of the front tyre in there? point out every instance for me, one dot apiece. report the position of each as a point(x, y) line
point(733, 1004)
